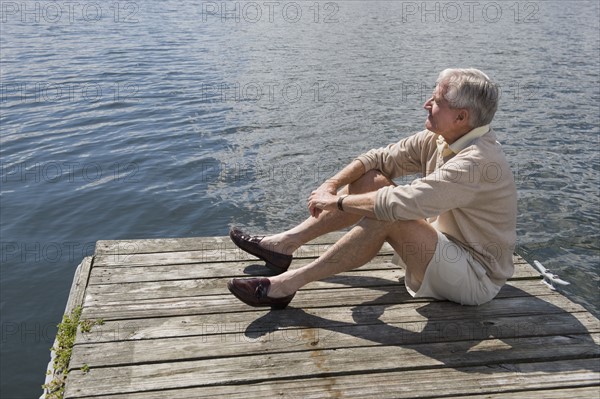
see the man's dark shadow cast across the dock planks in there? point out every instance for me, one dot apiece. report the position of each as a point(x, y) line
point(455, 335)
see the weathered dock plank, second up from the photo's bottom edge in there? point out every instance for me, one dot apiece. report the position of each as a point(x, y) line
point(312, 363)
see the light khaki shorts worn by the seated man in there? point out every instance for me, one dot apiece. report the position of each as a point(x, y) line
point(453, 274)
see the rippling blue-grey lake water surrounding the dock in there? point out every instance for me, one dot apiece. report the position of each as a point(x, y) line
point(171, 119)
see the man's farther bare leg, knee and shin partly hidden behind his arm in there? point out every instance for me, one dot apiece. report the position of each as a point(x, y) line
point(311, 228)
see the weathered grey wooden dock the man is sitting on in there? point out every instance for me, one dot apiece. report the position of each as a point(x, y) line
point(170, 329)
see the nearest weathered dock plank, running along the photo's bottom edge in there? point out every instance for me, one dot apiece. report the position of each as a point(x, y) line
point(521, 380)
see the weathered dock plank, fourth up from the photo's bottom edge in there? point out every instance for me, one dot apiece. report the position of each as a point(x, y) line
point(258, 320)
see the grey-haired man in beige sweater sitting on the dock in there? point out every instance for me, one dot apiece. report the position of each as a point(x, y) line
point(454, 227)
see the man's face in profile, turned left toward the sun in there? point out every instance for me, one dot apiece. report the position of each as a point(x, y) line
point(442, 119)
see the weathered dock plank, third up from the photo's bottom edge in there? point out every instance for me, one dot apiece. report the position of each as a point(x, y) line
point(223, 340)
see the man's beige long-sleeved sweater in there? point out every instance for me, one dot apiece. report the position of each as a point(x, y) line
point(469, 196)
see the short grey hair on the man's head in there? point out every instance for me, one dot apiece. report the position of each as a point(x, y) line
point(473, 90)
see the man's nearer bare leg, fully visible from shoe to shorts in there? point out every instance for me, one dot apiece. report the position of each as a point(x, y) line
point(414, 240)
